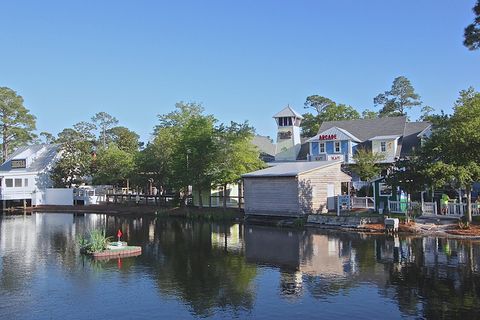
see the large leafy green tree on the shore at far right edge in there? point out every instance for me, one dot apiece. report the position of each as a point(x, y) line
point(453, 146)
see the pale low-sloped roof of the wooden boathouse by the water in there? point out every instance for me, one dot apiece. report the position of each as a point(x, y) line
point(290, 169)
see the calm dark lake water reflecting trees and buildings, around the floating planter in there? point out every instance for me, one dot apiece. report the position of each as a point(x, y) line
point(196, 270)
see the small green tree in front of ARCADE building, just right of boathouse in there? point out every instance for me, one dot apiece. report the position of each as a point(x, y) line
point(366, 164)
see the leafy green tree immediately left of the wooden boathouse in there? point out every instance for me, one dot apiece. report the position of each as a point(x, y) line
point(236, 155)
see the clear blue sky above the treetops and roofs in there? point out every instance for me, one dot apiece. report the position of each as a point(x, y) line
point(243, 60)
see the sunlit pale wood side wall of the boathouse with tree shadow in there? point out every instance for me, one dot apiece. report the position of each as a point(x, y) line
point(312, 187)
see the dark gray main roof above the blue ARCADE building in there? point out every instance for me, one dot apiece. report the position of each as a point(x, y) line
point(365, 129)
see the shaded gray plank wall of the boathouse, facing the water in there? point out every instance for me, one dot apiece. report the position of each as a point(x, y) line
point(271, 195)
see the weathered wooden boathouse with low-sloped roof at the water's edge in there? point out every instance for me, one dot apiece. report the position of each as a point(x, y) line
point(293, 188)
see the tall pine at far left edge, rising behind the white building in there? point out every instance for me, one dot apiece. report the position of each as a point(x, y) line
point(16, 122)
